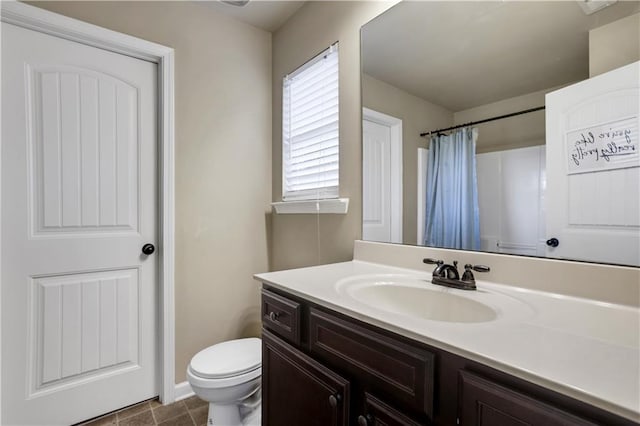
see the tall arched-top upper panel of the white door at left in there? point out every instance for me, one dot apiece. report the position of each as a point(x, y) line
point(85, 155)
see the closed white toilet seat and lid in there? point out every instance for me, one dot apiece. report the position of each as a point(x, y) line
point(233, 361)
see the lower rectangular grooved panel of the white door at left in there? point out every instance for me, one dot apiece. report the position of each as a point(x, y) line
point(86, 323)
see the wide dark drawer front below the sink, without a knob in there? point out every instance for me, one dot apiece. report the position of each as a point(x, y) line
point(387, 366)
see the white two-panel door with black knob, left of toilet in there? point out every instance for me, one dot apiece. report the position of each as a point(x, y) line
point(79, 299)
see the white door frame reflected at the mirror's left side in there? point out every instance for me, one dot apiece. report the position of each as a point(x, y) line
point(395, 125)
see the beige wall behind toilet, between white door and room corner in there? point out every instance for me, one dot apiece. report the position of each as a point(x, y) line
point(223, 160)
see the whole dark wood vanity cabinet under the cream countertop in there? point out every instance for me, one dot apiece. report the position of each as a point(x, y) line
point(324, 368)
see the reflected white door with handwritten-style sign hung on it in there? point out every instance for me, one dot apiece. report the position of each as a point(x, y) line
point(593, 178)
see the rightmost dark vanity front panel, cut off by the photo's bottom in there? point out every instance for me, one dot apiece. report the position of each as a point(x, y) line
point(486, 403)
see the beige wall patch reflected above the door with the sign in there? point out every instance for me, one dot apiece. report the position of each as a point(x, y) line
point(624, 34)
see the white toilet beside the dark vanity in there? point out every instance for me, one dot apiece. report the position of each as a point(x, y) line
point(227, 376)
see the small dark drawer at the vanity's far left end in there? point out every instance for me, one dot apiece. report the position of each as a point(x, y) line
point(281, 316)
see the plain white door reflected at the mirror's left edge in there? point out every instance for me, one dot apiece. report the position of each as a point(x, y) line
point(376, 182)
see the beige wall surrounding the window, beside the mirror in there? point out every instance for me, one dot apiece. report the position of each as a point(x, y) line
point(302, 240)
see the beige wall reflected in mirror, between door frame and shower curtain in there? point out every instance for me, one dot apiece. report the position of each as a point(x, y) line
point(417, 116)
